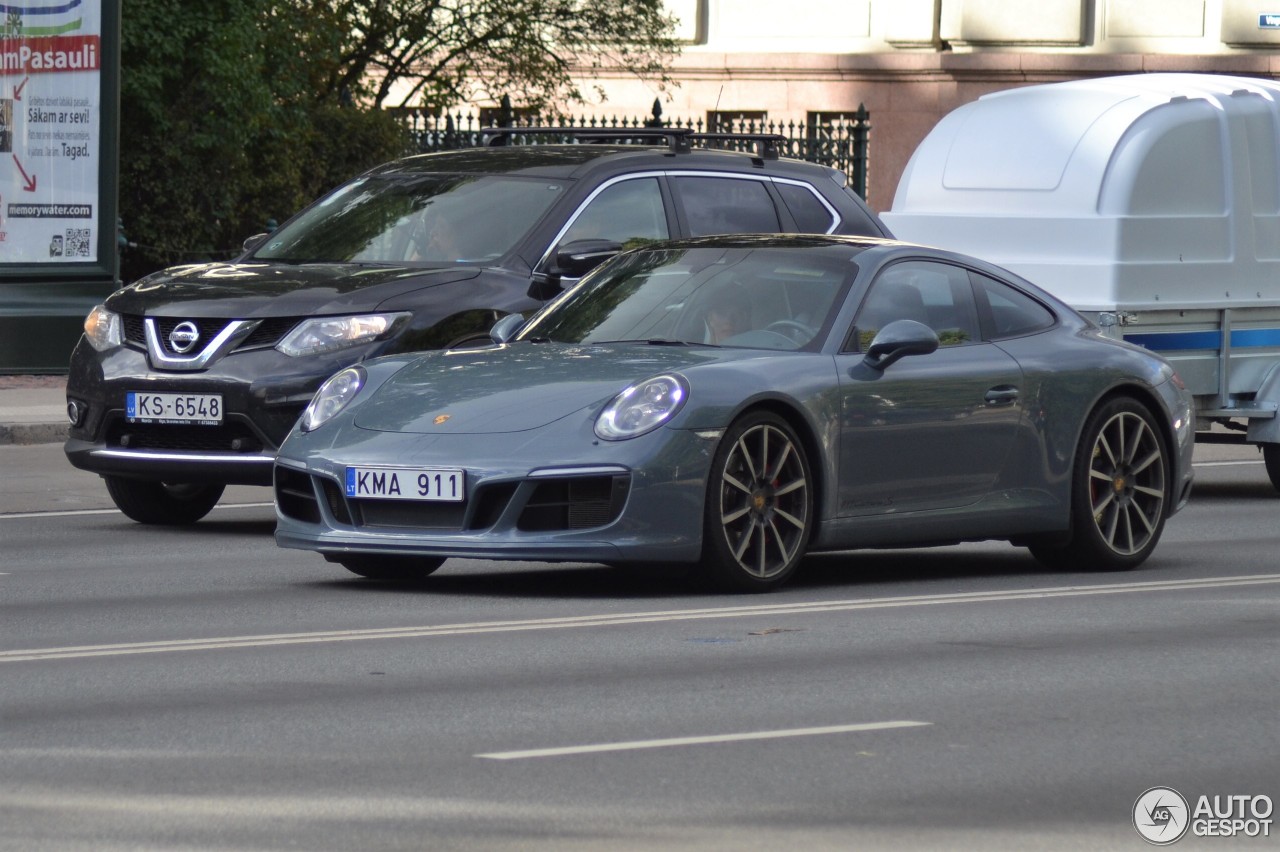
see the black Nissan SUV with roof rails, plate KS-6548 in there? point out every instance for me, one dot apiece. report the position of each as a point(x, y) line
point(188, 381)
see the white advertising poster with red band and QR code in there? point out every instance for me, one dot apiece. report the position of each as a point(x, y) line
point(51, 117)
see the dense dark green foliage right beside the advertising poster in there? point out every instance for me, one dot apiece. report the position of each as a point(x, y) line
point(220, 132)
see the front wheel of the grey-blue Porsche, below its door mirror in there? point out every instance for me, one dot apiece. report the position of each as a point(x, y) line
point(760, 506)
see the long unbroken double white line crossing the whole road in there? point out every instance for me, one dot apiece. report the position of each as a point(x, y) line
point(618, 620)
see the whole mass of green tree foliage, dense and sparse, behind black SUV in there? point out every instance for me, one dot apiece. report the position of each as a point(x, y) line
point(237, 112)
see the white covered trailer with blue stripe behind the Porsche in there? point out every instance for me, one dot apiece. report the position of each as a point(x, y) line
point(1150, 203)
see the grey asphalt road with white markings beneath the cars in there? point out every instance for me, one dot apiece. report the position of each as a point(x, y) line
point(204, 690)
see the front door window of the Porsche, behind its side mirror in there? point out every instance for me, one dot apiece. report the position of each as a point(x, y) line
point(936, 295)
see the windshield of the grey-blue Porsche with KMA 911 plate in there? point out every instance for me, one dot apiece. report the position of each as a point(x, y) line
point(761, 299)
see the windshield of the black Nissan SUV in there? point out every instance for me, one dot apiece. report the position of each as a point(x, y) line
point(431, 221)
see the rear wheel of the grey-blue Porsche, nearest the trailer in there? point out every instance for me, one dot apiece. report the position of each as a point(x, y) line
point(1119, 492)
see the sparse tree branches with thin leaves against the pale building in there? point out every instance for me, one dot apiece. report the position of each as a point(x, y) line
point(438, 53)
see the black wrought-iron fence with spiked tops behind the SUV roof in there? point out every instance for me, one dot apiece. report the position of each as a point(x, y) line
point(842, 143)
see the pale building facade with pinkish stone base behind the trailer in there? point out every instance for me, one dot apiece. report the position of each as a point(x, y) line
point(912, 62)
